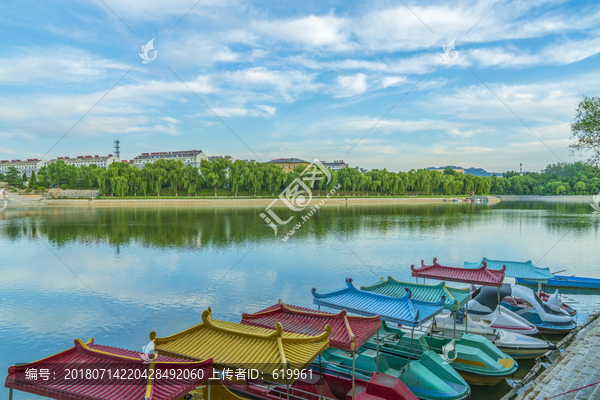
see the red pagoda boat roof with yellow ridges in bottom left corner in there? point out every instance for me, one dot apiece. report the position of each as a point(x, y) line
point(89, 371)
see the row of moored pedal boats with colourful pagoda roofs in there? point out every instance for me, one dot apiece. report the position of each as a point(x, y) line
point(406, 341)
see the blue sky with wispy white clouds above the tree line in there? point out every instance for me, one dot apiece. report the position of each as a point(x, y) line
point(369, 83)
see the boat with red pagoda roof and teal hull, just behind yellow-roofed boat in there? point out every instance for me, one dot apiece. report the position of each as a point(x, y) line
point(429, 378)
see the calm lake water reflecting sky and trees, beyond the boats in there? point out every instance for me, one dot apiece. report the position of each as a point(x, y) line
point(159, 269)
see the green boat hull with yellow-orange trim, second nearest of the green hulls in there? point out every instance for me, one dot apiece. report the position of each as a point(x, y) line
point(477, 360)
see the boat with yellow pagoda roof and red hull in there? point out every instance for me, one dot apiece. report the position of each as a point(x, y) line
point(278, 362)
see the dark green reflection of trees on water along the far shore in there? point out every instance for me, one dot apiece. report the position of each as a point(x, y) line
point(227, 227)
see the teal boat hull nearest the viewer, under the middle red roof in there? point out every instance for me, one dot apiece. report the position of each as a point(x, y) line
point(428, 378)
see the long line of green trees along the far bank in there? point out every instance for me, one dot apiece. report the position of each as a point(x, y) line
point(222, 177)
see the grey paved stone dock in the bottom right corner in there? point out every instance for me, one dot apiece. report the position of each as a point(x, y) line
point(575, 374)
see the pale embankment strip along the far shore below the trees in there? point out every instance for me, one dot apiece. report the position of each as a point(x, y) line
point(204, 202)
